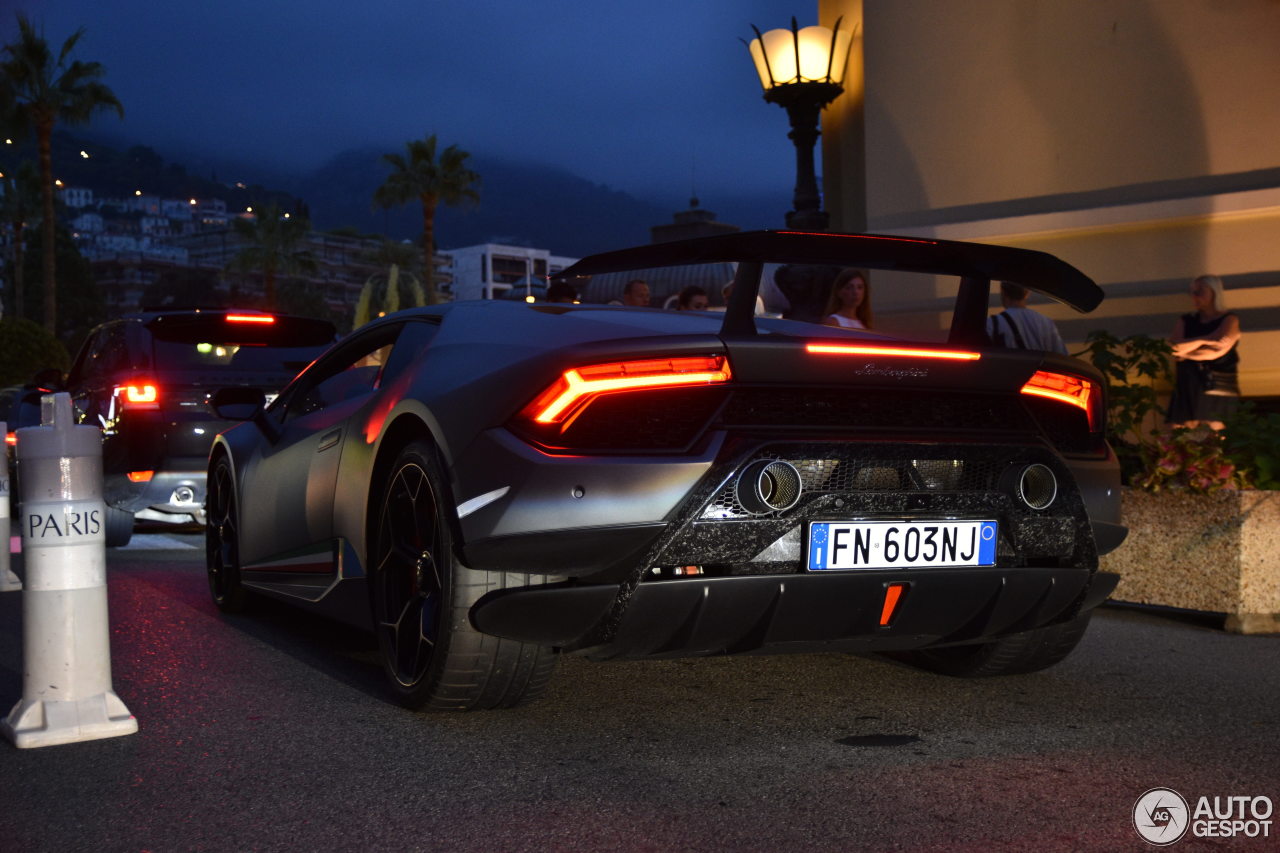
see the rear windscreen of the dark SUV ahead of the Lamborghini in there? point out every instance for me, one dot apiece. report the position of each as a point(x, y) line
point(198, 343)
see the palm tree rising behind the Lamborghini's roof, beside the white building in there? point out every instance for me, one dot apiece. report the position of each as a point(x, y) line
point(429, 181)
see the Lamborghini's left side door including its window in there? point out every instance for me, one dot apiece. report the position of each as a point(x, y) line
point(289, 494)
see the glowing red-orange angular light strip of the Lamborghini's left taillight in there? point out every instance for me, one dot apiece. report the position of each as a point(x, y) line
point(580, 384)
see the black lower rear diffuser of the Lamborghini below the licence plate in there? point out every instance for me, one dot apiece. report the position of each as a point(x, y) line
point(803, 613)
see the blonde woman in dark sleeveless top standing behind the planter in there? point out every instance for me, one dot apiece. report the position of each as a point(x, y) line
point(1206, 385)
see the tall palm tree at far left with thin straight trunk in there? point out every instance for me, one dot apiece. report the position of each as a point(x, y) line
point(45, 90)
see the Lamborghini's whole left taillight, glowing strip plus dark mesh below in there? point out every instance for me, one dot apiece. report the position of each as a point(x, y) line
point(642, 405)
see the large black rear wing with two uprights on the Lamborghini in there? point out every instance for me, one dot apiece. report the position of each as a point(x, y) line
point(977, 266)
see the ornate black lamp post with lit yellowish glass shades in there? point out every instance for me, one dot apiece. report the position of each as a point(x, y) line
point(803, 71)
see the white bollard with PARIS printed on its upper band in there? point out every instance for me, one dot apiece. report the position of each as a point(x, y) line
point(67, 691)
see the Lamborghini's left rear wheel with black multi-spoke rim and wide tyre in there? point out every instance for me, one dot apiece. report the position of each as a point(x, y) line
point(422, 597)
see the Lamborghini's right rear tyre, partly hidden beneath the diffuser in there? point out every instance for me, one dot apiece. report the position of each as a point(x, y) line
point(1028, 653)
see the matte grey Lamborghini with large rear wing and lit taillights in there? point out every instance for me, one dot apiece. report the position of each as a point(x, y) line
point(491, 485)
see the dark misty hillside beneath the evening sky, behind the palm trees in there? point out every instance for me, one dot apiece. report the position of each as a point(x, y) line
point(520, 204)
